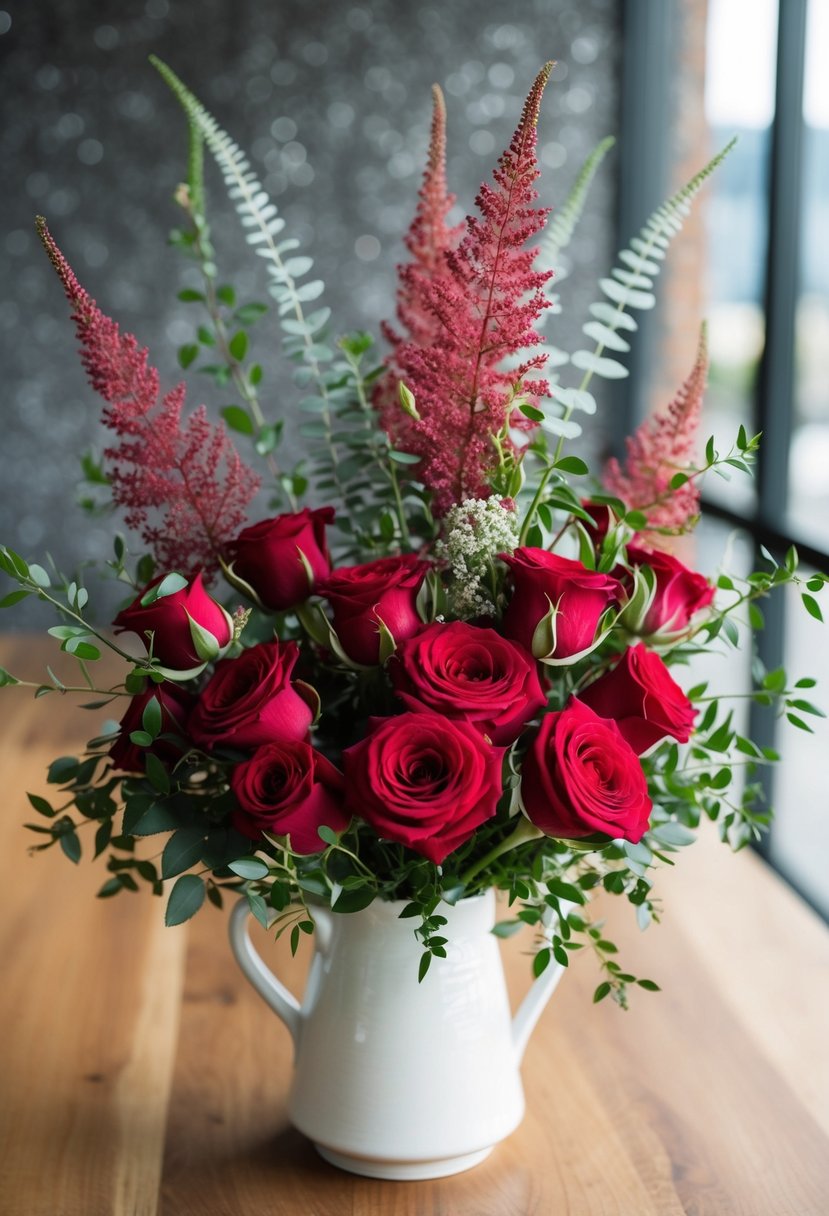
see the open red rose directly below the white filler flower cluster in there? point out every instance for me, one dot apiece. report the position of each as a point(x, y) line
point(471, 674)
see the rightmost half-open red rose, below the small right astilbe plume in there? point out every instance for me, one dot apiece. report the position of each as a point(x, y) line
point(666, 603)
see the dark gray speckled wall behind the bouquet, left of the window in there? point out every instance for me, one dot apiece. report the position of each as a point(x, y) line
point(331, 102)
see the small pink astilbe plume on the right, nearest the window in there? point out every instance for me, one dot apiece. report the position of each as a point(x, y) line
point(661, 448)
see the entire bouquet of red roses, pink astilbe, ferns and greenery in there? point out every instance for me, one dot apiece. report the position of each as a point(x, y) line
point(459, 672)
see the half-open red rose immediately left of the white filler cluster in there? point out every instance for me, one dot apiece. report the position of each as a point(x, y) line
point(363, 596)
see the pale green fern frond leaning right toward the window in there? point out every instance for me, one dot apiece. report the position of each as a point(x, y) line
point(633, 280)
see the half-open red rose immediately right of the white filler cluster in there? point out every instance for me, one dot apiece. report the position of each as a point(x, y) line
point(579, 598)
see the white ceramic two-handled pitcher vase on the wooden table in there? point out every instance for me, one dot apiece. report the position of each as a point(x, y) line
point(397, 1079)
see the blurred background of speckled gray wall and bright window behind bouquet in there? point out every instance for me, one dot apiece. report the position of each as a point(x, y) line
point(332, 104)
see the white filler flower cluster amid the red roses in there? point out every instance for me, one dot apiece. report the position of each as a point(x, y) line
point(475, 533)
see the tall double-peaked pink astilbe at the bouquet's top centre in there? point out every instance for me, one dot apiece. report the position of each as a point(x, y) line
point(475, 307)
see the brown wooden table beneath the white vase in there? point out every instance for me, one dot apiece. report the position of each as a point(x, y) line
point(142, 1074)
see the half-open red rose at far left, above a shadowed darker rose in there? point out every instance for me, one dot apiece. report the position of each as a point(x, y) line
point(176, 623)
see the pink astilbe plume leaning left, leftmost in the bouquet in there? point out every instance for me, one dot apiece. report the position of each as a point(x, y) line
point(182, 485)
